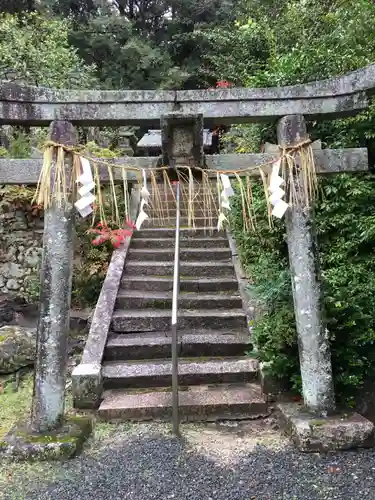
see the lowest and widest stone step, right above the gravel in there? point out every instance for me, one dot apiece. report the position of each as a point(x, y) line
point(196, 403)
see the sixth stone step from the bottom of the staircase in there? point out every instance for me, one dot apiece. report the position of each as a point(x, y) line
point(158, 284)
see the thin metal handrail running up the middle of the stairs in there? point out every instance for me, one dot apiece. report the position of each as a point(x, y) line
point(175, 297)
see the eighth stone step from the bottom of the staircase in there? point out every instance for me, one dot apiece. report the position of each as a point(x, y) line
point(186, 254)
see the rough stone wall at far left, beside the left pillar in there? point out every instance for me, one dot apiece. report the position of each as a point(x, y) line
point(20, 251)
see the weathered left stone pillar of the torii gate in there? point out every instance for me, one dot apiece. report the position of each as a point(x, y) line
point(53, 326)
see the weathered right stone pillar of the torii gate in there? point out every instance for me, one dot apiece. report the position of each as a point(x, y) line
point(314, 350)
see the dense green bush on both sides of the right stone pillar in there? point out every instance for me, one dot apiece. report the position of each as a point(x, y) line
point(345, 220)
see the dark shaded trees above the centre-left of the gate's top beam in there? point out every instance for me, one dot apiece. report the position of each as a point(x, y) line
point(145, 43)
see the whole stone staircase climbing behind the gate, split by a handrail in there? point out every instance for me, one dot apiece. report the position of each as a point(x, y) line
point(217, 380)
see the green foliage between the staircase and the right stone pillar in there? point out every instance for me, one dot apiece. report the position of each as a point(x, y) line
point(265, 258)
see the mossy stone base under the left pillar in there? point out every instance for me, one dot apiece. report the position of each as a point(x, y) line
point(66, 442)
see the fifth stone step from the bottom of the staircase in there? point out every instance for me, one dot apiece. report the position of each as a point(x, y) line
point(140, 299)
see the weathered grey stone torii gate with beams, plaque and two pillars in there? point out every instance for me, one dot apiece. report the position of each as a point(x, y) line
point(181, 116)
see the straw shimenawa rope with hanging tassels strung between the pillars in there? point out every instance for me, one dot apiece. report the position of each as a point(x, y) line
point(200, 198)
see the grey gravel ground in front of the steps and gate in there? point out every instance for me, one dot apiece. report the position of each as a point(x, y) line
point(250, 461)
